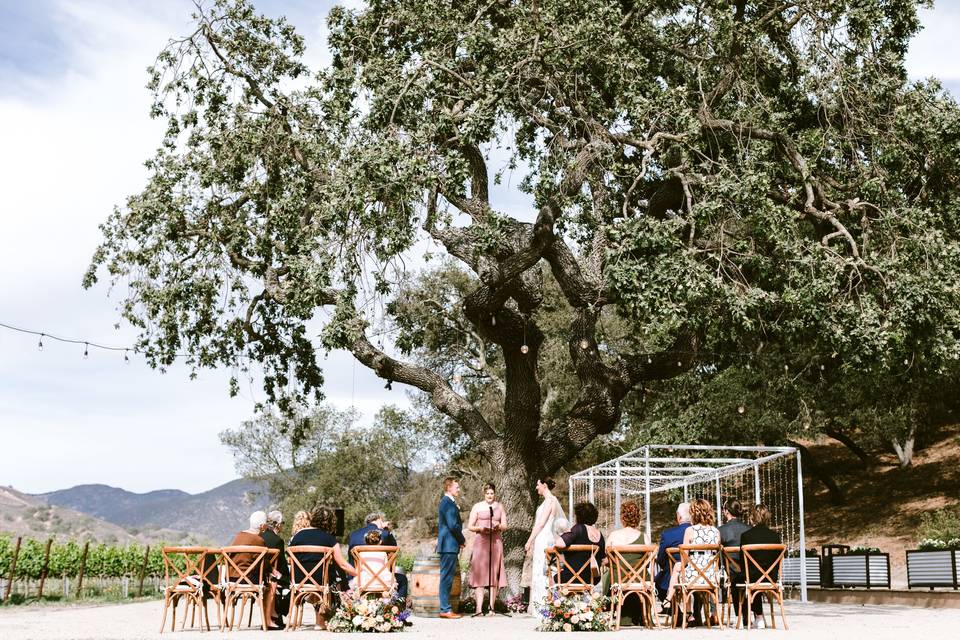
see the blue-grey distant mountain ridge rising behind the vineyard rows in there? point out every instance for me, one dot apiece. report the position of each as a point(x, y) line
point(212, 516)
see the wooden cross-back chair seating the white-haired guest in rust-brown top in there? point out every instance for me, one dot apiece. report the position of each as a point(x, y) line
point(247, 583)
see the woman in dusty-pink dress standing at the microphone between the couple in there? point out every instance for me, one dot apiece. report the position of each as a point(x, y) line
point(488, 520)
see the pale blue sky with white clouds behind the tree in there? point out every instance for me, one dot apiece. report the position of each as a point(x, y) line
point(74, 133)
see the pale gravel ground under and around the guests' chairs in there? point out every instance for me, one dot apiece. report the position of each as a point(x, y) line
point(142, 620)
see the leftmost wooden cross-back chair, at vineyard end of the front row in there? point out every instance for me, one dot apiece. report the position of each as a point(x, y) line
point(188, 577)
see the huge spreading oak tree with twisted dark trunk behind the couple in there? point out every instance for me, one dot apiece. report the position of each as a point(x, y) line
point(715, 175)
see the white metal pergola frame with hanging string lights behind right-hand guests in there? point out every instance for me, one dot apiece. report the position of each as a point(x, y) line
point(657, 477)
